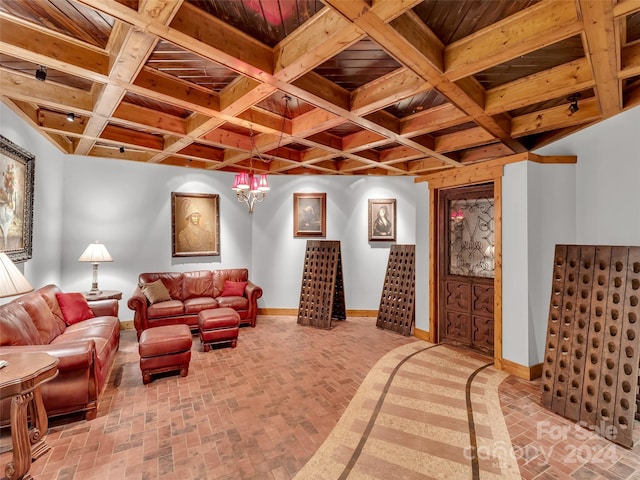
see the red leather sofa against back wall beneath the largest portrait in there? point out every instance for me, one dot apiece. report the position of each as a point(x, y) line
point(192, 292)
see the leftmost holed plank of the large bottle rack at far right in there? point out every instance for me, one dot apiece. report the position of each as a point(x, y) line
point(553, 325)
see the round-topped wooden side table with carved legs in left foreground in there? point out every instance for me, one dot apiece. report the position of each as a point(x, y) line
point(20, 380)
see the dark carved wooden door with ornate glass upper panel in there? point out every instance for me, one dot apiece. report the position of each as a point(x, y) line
point(465, 265)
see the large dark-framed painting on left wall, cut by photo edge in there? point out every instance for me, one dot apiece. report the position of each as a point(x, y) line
point(17, 168)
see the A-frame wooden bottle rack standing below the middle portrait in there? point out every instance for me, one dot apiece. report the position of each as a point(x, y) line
point(322, 289)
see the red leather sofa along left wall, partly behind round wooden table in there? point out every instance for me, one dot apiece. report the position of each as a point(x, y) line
point(87, 350)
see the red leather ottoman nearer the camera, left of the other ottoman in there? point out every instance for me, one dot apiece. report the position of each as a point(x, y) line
point(164, 349)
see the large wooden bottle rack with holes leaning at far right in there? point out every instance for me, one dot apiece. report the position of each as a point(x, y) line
point(590, 370)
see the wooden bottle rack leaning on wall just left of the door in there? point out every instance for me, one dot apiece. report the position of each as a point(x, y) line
point(396, 311)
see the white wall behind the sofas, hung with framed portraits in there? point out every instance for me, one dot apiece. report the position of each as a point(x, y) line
point(127, 206)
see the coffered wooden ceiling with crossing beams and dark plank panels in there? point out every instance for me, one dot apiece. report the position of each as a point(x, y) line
point(387, 87)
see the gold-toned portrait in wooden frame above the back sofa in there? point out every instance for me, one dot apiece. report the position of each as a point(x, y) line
point(195, 224)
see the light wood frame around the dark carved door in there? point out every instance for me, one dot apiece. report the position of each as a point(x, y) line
point(442, 182)
